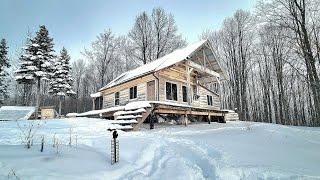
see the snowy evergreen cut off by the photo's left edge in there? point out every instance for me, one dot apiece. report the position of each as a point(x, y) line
point(4, 63)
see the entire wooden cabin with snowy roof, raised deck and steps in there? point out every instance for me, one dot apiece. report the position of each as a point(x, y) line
point(184, 83)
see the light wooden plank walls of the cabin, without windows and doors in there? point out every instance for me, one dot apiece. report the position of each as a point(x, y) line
point(174, 74)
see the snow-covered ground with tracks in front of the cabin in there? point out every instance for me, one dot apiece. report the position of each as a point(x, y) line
point(235, 150)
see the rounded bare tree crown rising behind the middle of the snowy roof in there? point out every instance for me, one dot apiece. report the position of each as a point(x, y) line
point(154, 36)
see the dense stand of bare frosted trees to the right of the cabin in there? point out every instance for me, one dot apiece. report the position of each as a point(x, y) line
point(271, 60)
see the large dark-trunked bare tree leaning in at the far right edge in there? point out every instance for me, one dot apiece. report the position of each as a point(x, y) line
point(297, 16)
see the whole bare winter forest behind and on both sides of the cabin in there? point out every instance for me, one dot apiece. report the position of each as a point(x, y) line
point(270, 56)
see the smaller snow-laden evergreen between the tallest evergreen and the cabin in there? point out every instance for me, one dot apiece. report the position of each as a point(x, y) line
point(61, 80)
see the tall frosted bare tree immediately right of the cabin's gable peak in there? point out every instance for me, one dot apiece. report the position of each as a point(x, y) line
point(236, 48)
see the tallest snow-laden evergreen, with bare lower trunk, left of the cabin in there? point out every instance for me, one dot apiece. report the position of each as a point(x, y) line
point(37, 60)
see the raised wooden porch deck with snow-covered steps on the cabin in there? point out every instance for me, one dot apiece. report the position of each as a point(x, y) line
point(136, 116)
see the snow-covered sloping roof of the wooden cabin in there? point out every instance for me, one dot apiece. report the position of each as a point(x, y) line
point(161, 63)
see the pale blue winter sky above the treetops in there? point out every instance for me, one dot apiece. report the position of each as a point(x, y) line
point(75, 23)
